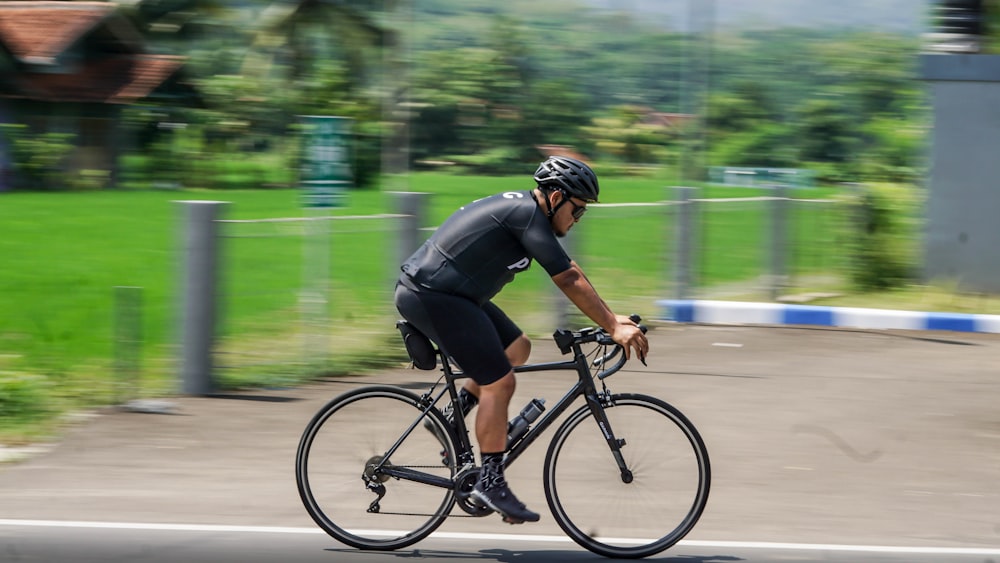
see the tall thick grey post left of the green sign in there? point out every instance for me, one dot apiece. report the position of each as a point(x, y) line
point(198, 294)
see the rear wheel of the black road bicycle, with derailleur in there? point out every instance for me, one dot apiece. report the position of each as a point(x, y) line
point(347, 438)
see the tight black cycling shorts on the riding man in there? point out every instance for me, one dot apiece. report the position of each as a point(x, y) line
point(474, 336)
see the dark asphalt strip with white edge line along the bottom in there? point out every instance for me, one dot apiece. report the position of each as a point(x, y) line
point(102, 545)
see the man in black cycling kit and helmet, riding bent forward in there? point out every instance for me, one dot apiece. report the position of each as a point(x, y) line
point(446, 287)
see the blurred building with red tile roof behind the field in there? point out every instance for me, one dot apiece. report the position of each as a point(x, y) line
point(71, 67)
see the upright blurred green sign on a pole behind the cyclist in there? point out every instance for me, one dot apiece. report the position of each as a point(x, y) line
point(326, 168)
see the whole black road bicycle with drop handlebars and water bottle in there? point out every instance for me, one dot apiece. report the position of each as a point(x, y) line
point(626, 475)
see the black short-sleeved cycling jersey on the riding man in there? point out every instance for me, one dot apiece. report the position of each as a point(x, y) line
point(480, 248)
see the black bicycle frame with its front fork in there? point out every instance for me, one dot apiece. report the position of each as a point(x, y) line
point(584, 387)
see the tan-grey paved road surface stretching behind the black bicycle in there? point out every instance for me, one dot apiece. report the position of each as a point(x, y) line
point(817, 436)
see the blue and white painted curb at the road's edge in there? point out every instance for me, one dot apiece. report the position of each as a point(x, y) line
point(735, 312)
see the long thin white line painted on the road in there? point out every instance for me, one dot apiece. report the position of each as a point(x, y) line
point(499, 537)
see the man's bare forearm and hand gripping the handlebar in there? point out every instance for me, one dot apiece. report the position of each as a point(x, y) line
point(574, 283)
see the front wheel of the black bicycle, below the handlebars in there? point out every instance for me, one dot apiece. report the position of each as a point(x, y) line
point(635, 516)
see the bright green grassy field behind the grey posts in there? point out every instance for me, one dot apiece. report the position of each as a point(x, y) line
point(65, 253)
